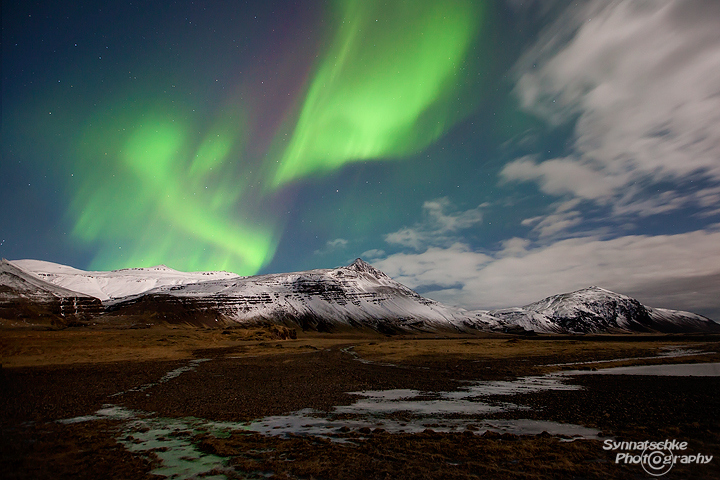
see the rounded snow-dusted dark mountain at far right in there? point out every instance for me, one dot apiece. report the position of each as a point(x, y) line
point(594, 310)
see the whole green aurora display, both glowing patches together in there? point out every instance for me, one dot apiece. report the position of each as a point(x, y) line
point(160, 192)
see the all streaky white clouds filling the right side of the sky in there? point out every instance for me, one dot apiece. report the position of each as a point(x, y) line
point(639, 82)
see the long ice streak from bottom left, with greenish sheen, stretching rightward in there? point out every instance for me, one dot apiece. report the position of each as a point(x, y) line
point(170, 440)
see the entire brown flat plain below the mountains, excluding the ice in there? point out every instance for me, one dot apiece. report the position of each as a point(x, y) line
point(49, 376)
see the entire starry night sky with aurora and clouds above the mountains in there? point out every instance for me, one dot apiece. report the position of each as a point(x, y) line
point(486, 154)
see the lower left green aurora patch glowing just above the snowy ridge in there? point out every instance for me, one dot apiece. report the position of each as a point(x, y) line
point(161, 198)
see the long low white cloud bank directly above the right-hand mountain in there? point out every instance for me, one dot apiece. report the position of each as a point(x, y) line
point(641, 265)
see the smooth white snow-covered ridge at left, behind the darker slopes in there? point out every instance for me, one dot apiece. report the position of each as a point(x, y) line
point(117, 283)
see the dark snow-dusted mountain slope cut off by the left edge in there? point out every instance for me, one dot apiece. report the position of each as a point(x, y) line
point(25, 298)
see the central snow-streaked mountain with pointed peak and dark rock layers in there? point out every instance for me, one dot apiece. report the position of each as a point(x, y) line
point(354, 296)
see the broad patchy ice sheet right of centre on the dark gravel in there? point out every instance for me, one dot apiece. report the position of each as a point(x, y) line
point(419, 411)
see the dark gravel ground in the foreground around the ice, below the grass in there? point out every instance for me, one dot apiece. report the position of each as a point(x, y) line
point(34, 445)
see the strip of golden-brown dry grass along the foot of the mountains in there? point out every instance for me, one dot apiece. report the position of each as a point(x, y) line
point(23, 347)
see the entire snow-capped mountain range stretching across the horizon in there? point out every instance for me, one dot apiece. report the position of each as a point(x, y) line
point(355, 296)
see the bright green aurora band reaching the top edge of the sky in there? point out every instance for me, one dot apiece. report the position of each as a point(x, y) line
point(385, 88)
